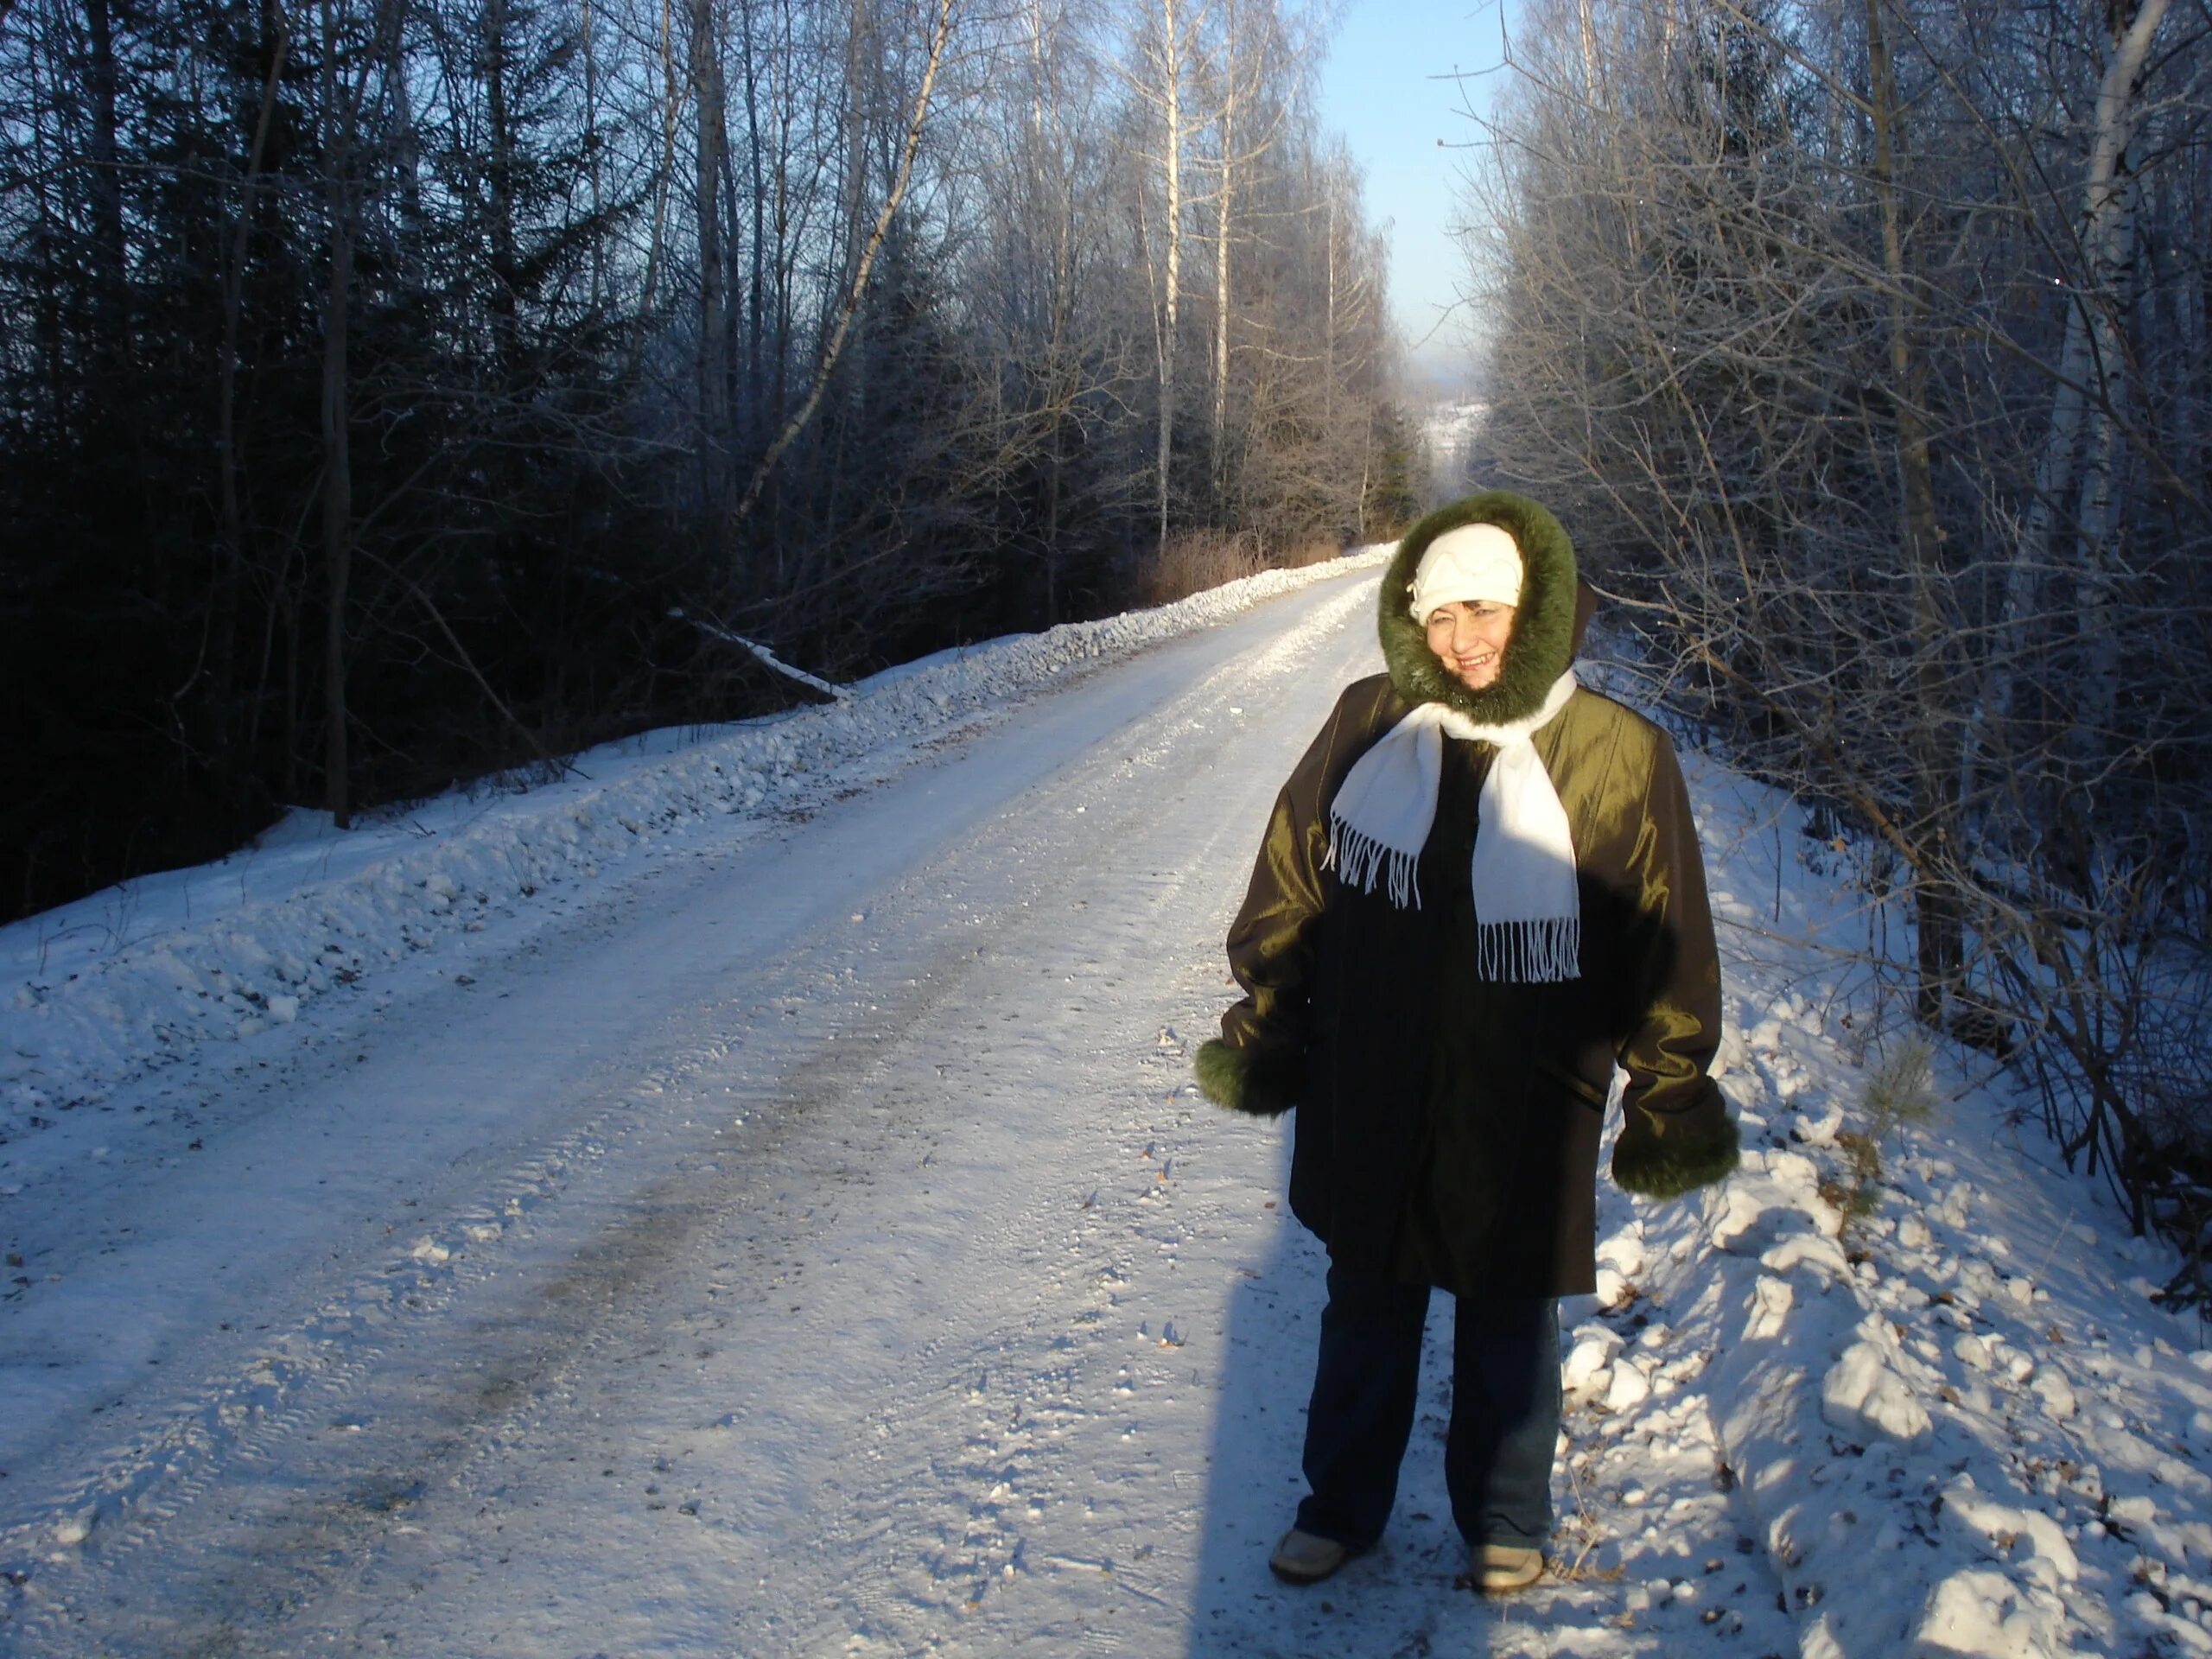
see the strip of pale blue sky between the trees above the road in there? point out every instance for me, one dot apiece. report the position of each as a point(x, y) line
point(1388, 87)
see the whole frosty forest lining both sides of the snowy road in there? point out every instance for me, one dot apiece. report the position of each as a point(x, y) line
point(404, 393)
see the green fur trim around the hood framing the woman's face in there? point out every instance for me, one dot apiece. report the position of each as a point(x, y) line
point(1543, 640)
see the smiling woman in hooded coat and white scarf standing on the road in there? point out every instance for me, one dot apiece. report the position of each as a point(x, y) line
point(1479, 895)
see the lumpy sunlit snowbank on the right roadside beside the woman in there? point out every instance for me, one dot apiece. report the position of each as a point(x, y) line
point(1945, 1423)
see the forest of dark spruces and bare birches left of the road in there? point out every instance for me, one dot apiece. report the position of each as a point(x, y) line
point(404, 393)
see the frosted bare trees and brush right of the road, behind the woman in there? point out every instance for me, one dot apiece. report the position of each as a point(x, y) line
point(1864, 344)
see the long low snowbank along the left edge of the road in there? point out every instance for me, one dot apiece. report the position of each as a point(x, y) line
point(83, 1021)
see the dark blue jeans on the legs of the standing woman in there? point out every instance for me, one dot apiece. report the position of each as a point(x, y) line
point(1505, 1412)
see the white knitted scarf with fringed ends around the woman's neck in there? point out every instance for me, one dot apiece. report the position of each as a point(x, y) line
point(1527, 915)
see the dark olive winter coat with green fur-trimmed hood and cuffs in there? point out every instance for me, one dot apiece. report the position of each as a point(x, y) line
point(1448, 1127)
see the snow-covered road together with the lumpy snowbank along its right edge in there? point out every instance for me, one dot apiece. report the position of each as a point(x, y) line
point(813, 1246)
